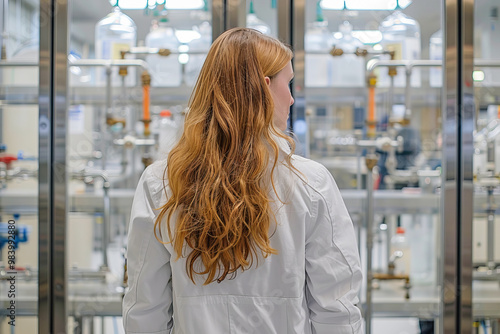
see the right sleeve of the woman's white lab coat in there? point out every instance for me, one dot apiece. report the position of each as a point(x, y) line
point(333, 273)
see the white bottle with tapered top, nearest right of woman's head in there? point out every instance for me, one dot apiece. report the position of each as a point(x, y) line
point(318, 63)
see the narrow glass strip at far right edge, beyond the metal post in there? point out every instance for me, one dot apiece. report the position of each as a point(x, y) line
point(486, 221)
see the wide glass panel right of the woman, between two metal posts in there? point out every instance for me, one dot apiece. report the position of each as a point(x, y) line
point(375, 129)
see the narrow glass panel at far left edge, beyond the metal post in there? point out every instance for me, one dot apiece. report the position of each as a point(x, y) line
point(19, 165)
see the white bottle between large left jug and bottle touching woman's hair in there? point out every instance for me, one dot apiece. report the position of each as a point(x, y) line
point(165, 71)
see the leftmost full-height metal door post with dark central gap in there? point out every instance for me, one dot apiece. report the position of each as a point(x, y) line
point(52, 311)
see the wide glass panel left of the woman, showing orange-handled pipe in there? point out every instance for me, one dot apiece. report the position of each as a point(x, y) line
point(117, 125)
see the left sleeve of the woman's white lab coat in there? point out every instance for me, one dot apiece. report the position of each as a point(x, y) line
point(147, 305)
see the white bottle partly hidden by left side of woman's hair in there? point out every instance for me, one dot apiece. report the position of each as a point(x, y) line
point(199, 46)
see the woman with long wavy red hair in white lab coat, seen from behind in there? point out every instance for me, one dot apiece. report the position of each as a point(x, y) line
point(253, 238)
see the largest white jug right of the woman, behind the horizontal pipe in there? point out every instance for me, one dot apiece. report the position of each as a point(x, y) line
point(400, 33)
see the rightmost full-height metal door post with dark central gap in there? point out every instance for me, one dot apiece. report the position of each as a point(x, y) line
point(458, 113)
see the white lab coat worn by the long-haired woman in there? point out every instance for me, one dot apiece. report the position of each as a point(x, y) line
point(311, 286)
